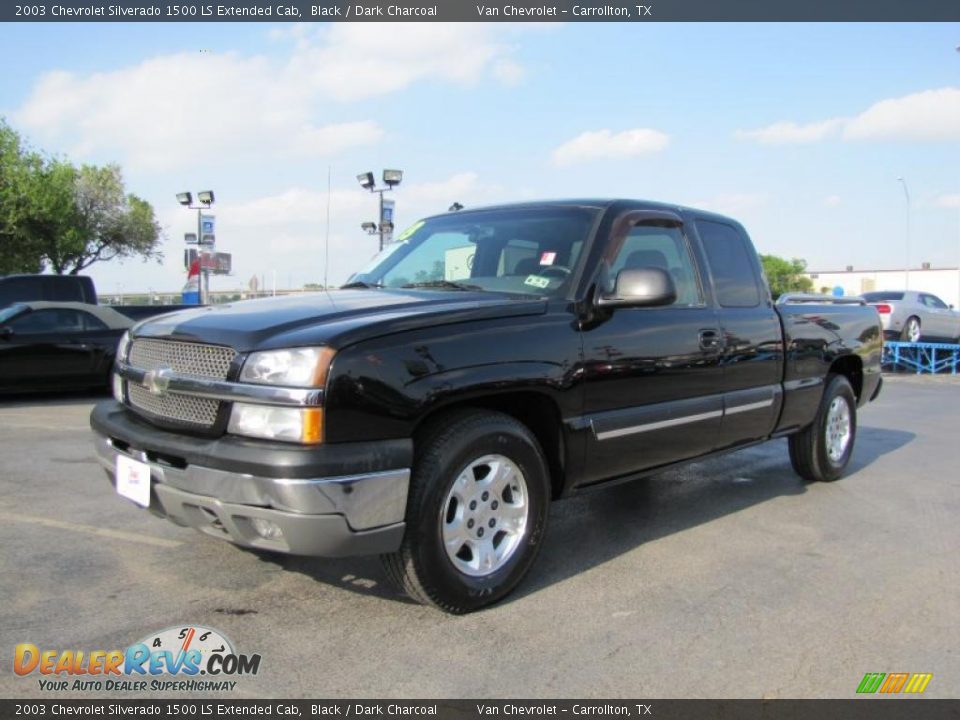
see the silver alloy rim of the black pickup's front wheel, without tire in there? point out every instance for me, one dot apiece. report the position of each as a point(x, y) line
point(485, 515)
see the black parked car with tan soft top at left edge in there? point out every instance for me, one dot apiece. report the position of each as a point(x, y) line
point(52, 346)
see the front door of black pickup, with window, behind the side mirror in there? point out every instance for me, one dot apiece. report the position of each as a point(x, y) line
point(652, 374)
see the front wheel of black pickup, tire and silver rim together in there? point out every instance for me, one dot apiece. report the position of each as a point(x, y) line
point(476, 512)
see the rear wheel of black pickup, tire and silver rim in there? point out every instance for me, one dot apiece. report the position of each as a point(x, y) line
point(821, 451)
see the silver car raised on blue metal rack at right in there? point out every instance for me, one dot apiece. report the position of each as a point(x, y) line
point(912, 316)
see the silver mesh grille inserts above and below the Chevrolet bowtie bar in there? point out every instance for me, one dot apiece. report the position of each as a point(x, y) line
point(208, 361)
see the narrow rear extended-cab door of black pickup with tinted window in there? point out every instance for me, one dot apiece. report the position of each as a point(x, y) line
point(752, 356)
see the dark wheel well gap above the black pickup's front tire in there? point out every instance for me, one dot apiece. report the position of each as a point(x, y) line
point(536, 411)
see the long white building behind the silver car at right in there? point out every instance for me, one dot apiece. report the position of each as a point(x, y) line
point(942, 282)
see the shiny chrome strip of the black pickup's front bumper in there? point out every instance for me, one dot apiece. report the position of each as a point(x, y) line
point(366, 501)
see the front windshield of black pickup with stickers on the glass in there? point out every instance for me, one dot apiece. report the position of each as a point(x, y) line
point(531, 251)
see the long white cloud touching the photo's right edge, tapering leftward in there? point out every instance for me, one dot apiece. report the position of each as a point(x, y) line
point(931, 115)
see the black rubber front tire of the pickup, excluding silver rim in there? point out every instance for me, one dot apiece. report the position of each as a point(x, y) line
point(440, 578)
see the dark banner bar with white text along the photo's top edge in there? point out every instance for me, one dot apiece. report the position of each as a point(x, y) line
point(482, 11)
